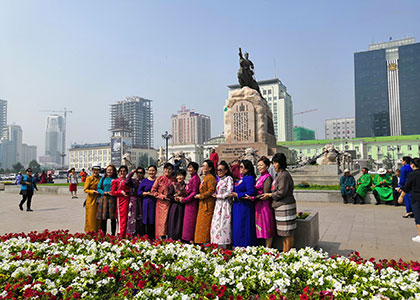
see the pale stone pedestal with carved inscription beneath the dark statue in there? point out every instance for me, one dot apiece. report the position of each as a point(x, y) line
point(248, 124)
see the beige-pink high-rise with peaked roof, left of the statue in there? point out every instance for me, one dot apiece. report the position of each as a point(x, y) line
point(189, 127)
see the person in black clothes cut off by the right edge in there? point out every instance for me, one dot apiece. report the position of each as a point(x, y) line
point(413, 186)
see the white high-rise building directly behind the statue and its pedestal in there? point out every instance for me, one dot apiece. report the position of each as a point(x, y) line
point(280, 103)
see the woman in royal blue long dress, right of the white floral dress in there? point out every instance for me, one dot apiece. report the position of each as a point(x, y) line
point(243, 210)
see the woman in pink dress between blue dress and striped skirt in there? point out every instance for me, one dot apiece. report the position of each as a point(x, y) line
point(264, 213)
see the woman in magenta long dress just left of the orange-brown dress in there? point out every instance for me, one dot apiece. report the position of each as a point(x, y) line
point(191, 203)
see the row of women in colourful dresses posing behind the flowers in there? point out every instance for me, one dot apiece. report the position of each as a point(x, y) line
point(214, 209)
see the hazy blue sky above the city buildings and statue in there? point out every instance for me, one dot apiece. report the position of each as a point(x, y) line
point(85, 55)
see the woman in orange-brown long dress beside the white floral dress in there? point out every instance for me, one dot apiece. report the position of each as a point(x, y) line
point(206, 203)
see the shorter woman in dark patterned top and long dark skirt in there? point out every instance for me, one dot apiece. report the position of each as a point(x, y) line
point(176, 212)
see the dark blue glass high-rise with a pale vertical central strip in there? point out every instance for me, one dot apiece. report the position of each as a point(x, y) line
point(387, 89)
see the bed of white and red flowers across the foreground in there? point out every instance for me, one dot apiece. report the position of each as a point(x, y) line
point(56, 265)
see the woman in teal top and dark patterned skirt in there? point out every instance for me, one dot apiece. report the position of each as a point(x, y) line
point(107, 204)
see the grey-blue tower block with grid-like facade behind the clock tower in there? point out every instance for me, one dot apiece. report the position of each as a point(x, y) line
point(134, 114)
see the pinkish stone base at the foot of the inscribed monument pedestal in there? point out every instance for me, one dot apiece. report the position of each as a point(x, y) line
point(230, 152)
